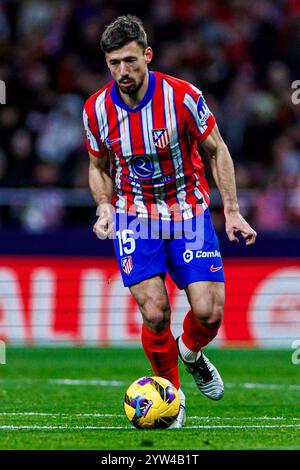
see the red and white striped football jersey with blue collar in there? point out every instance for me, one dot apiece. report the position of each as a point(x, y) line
point(154, 162)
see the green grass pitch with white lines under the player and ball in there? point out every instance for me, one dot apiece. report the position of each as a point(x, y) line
point(72, 398)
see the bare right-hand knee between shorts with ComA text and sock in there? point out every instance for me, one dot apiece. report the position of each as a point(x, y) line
point(207, 299)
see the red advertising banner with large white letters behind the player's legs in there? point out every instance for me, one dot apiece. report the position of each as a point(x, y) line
point(83, 301)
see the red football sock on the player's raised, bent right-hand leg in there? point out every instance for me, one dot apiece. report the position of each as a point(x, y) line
point(195, 335)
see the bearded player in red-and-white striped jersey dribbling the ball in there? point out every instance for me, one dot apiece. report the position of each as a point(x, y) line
point(143, 130)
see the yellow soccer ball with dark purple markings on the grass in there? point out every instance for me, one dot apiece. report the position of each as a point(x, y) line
point(151, 402)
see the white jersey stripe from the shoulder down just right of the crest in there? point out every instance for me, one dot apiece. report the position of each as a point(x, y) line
point(176, 154)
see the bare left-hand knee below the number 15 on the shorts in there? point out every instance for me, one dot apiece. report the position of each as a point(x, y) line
point(152, 298)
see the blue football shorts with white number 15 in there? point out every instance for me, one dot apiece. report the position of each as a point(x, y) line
point(188, 250)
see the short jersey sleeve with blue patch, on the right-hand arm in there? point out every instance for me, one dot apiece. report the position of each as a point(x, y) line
point(199, 119)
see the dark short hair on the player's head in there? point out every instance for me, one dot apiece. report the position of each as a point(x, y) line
point(122, 31)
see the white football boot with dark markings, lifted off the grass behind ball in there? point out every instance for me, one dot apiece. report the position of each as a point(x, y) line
point(205, 374)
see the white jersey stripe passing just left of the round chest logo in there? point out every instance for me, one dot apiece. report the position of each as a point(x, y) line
point(127, 153)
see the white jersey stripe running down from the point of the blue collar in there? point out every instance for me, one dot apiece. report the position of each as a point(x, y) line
point(150, 149)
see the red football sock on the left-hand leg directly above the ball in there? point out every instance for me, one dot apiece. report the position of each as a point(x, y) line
point(161, 350)
